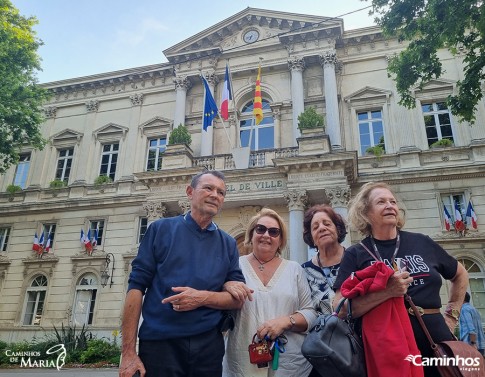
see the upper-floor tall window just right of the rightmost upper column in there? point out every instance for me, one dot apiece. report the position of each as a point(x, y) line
point(371, 130)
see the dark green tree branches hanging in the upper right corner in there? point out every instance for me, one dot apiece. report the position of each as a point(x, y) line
point(428, 25)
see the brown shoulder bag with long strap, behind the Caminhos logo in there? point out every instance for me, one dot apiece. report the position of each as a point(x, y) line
point(459, 358)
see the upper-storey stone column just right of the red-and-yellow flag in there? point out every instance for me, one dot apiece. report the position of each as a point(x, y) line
point(296, 65)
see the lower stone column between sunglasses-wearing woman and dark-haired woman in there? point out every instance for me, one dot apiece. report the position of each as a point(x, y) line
point(297, 200)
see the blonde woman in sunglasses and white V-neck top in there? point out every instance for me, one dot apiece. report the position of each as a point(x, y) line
point(281, 302)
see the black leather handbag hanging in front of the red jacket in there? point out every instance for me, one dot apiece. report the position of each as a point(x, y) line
point(334, 347)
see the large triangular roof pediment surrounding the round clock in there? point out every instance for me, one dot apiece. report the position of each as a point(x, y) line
point(229, 33)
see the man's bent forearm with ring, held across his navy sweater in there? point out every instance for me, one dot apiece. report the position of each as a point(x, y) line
point(189, 299)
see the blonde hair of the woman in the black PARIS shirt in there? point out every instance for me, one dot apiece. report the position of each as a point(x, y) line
point(359, 207)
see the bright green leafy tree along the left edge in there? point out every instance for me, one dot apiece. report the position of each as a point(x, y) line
point(20, 96)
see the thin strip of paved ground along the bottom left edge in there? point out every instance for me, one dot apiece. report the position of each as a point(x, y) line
point(45, 372)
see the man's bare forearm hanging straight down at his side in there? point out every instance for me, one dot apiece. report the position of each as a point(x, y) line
point(130, 362)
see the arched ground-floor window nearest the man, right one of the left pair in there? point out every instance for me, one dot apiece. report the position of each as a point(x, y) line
point(85, 299)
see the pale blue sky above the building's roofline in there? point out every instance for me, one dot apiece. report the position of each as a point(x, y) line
point(87, 37)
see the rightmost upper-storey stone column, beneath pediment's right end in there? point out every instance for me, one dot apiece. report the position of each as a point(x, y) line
point(332, 126)
